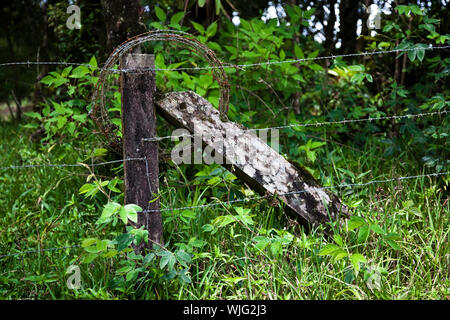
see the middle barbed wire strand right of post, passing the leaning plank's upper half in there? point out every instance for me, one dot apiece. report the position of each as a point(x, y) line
point(318, 124)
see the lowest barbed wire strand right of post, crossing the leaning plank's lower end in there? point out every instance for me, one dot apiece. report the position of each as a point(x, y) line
point(298, 192)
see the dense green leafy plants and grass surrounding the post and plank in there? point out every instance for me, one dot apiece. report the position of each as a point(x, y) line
point(395, 245)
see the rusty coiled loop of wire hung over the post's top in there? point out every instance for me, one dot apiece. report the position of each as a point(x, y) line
point(99, 112)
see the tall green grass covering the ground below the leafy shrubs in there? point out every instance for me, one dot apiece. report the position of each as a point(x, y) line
point(41, 208)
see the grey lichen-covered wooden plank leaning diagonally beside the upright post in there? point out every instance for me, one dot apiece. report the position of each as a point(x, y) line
point(261, 167)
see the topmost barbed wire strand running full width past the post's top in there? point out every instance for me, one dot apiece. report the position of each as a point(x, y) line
point(227, 65)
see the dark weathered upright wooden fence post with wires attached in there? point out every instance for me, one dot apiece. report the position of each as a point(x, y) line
point(138, 122)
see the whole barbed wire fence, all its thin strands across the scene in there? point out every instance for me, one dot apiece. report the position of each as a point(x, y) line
point(241, 67)
